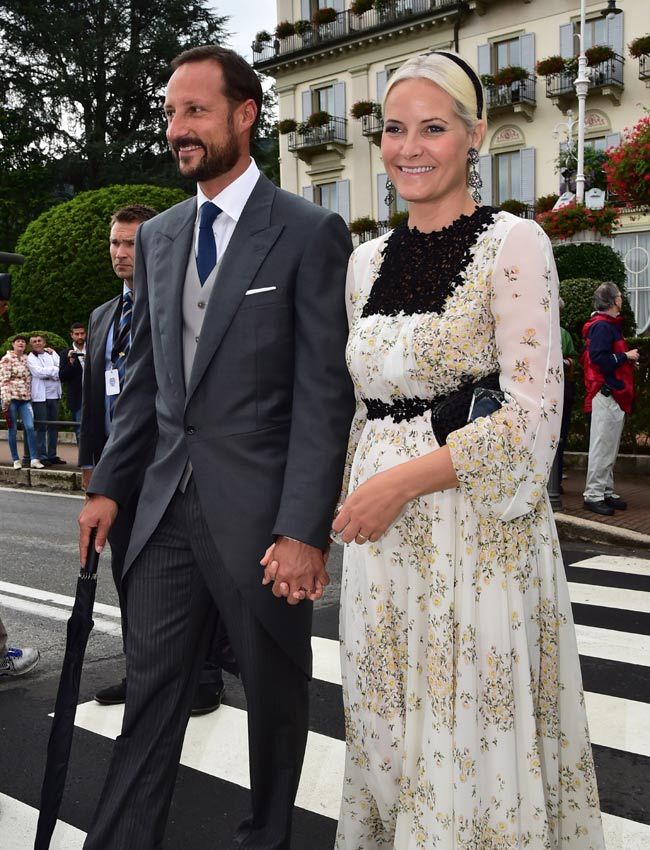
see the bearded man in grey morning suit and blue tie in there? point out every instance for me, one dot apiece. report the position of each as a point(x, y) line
point(237, 372)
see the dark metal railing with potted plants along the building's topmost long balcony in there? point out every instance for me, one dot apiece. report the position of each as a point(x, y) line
point(347, 25)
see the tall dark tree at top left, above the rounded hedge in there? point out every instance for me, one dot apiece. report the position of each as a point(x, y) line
point(87, 76)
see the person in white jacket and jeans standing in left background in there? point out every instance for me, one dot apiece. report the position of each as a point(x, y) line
point(43, 363)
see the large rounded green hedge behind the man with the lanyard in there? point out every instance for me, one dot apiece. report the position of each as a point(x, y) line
point(67, 271)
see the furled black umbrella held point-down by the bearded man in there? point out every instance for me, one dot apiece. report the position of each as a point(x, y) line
point(80, 625)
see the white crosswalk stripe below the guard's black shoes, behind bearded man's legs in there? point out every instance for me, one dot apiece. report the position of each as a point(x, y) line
point(217, 744)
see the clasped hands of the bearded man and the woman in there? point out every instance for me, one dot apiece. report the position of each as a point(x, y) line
point(296, 570)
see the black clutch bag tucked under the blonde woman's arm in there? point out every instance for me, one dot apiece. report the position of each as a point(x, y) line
point(469, 402)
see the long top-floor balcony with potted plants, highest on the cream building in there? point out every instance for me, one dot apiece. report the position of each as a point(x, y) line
point(348, 26)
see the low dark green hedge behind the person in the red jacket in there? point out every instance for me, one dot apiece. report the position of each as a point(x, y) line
point(636, 433)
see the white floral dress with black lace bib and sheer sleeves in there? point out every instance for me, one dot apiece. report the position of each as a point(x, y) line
point(464, 709)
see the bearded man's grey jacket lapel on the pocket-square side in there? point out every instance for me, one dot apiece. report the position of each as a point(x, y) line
point(251, 241)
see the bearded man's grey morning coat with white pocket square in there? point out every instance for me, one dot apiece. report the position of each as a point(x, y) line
point(265, 416)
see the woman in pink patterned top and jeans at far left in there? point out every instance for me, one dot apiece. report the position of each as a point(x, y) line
point(16, 392)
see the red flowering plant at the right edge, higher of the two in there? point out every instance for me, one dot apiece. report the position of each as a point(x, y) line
point(628, 166)
